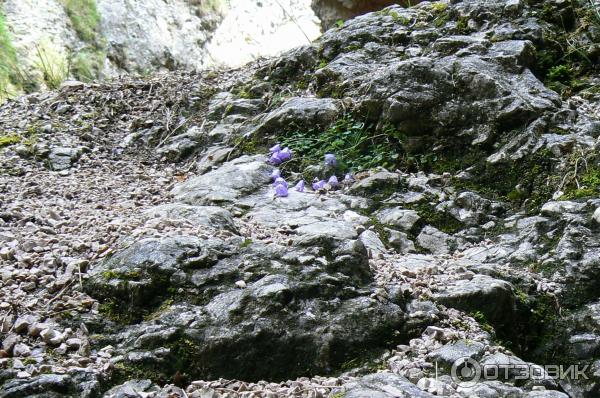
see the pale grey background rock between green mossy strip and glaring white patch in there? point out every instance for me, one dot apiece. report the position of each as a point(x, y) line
point(156, 35)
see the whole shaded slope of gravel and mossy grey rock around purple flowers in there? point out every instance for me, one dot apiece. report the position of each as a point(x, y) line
point(145, 253)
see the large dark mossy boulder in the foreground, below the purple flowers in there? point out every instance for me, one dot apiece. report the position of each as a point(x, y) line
point(213, 308)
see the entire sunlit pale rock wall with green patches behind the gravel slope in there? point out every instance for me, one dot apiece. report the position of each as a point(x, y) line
point(57, 40)
